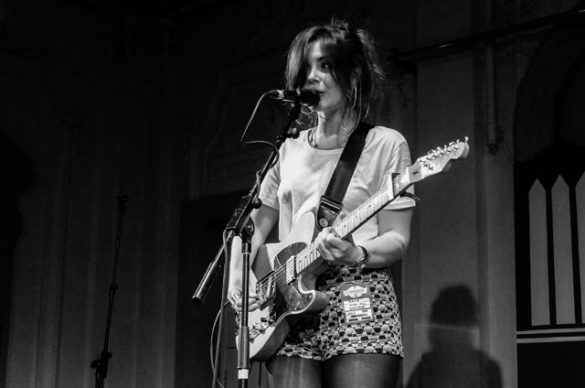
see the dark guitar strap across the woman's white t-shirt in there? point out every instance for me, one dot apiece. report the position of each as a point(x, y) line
point(332, 201)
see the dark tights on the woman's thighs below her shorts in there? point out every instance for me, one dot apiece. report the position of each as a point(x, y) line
point(346, 371)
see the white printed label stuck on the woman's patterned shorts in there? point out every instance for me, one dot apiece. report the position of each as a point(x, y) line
point(356, 302)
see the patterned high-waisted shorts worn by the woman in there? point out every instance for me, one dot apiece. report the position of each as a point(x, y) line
point(362, 317)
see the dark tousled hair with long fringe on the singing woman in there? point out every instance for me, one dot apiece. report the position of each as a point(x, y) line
point(354, 60)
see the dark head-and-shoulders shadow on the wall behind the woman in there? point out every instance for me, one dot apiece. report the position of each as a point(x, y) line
point(453, 361)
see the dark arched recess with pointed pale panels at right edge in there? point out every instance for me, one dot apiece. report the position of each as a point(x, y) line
point(549, 202)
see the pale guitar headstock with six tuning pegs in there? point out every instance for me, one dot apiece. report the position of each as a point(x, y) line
point(438, 160)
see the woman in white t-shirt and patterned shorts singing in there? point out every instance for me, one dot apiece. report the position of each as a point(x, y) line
point(340, 64)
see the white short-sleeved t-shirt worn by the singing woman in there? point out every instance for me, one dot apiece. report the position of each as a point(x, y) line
point(294, 186)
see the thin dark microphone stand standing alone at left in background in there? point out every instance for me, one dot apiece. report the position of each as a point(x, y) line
point(101, 364)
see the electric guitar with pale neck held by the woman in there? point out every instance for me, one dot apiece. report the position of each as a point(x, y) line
point(287, 291)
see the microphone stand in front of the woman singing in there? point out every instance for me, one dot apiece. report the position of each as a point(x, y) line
point(241, 225)
